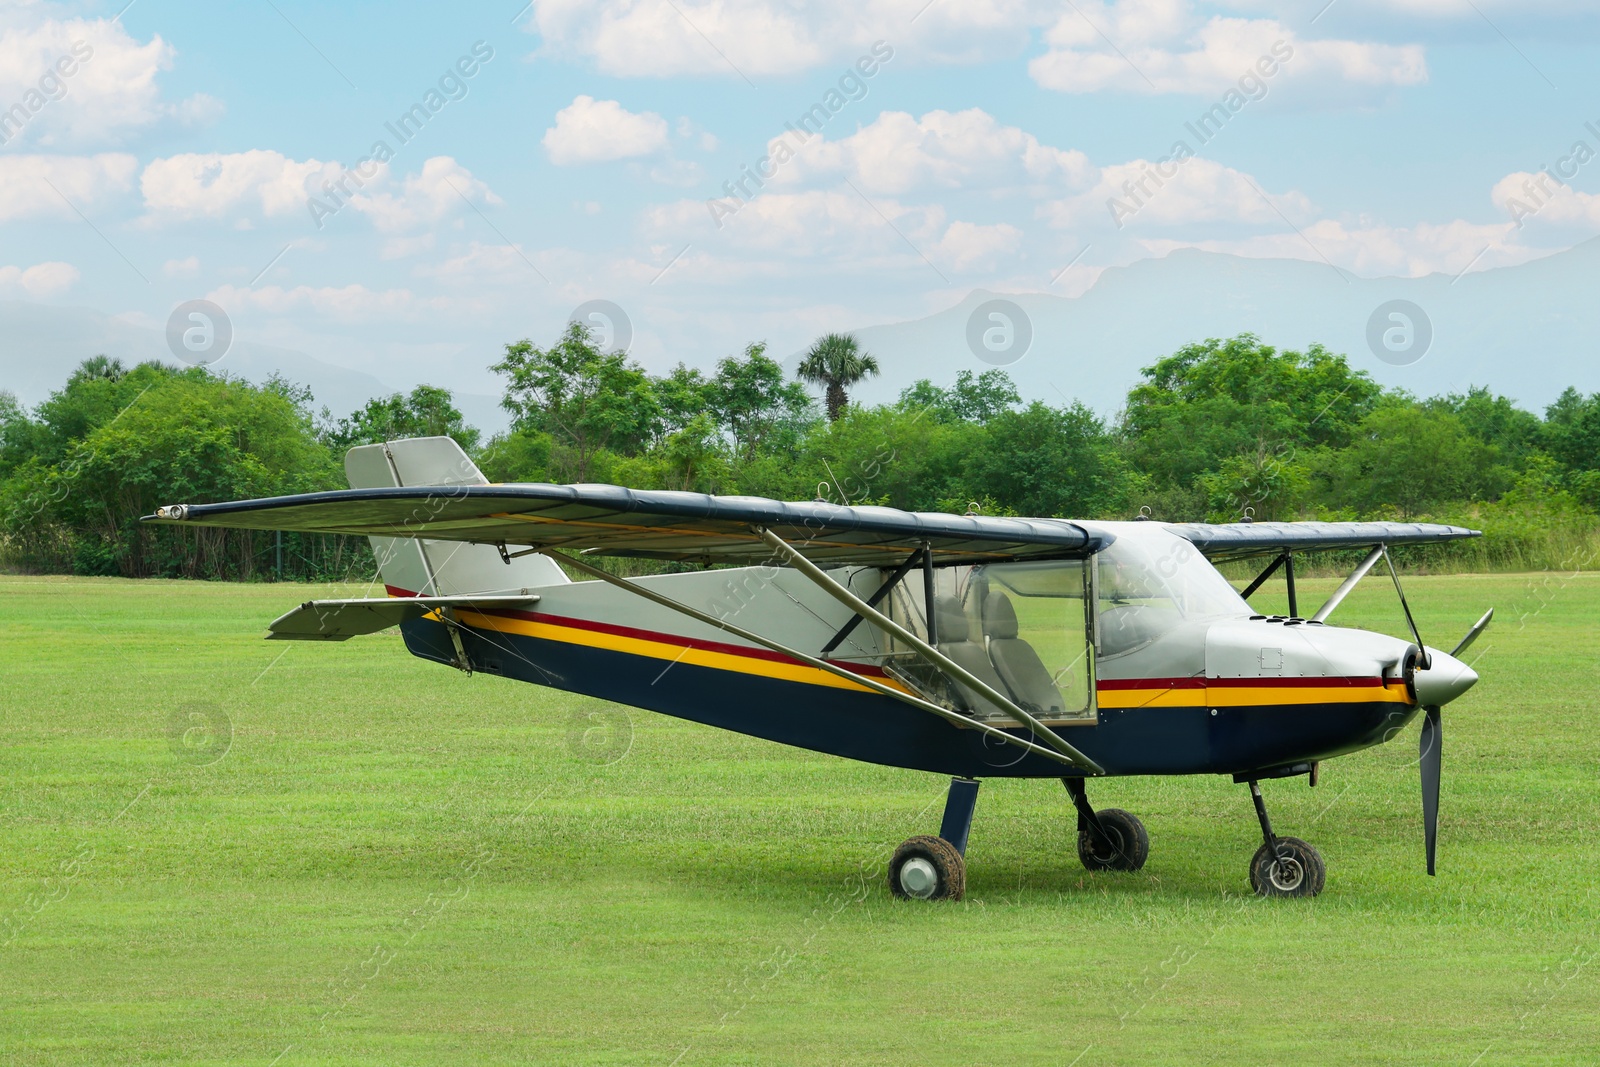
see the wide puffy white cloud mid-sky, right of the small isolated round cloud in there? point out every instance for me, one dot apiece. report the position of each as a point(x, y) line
point(969, 150)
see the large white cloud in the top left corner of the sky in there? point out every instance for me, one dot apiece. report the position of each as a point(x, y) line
point(86, 82)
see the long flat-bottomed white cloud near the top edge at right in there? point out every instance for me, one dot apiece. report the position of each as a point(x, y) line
point(1166, 47)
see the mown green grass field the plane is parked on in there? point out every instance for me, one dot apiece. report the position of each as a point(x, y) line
point(390, 863)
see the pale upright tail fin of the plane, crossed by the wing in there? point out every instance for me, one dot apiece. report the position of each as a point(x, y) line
point(414, 567)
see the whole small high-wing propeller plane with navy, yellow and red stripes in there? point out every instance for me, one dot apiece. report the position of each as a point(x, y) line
point(964, 645)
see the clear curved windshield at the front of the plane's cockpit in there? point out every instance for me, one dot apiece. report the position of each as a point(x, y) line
point(1151, 581)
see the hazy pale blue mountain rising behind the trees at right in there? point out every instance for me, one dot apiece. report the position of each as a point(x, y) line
point(1527, 332)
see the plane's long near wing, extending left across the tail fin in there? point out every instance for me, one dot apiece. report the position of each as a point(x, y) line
point(663, 526)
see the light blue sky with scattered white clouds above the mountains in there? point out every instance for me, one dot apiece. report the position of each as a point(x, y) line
point(404, 188)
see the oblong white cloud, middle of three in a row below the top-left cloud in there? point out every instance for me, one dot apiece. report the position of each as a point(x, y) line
point(217, 185)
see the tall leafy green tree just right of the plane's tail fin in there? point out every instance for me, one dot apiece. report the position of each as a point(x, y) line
point(585, 399)
